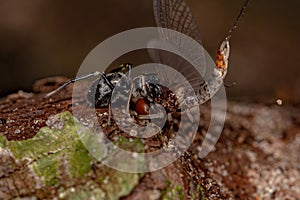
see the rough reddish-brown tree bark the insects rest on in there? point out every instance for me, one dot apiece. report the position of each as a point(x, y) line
point(256, 157)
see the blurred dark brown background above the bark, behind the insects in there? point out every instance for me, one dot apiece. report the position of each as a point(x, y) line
point(51, 37)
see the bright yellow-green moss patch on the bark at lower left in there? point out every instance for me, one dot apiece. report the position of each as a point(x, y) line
point(52, 147)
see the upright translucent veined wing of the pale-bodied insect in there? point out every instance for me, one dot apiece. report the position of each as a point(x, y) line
point(177, 16)
